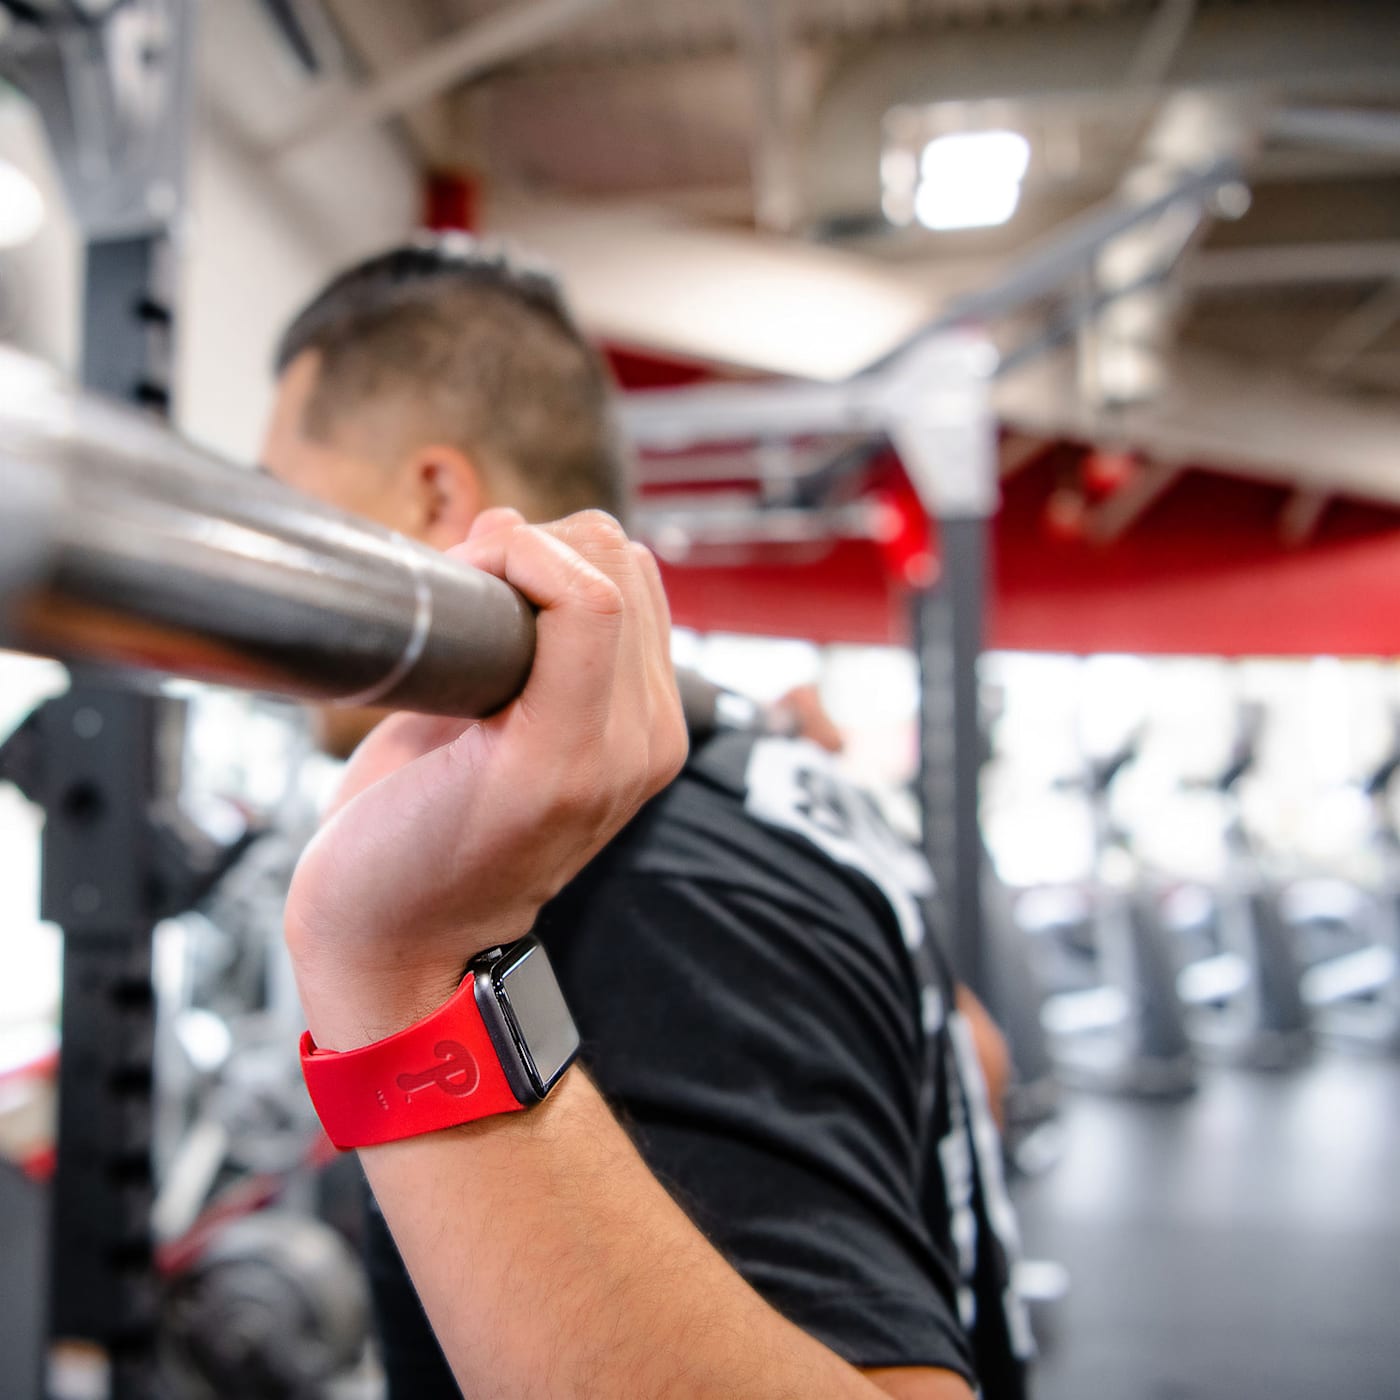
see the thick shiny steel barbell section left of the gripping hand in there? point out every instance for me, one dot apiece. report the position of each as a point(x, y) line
point(121, 544)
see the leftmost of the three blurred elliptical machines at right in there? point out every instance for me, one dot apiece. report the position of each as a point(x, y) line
point(1128, 1032)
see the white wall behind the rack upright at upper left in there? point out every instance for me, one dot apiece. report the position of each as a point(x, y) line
point(260, 239)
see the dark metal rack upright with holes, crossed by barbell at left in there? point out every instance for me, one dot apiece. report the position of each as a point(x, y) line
point(113, 780)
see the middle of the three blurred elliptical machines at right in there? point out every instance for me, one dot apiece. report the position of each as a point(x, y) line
point(1248, 1004)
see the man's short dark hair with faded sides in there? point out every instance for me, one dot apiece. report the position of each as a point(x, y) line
point(488, 356)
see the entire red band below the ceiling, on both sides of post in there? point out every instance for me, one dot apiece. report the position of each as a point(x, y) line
point(1205, 570)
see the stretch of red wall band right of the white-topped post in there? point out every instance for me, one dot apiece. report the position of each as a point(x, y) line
point(1205, 570)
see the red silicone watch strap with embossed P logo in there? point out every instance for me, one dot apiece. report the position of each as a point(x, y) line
point(439, 1073)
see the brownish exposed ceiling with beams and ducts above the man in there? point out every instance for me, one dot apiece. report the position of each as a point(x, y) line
point(666, 153)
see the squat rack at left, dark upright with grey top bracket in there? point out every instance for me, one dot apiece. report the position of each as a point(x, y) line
point(114, 93)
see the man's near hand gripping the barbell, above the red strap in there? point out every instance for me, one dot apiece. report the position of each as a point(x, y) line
point(449, 836)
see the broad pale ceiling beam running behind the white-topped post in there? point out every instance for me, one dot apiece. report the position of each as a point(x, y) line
point(790, 310)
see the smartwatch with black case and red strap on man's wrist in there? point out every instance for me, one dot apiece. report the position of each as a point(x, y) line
point(499, 1045)
